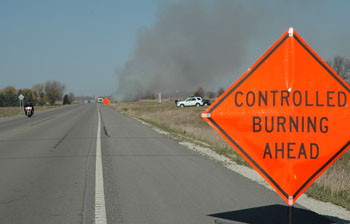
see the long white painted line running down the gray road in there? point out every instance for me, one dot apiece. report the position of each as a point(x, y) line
point(100, 205)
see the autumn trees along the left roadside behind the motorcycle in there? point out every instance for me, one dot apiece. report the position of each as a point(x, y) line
point(40, 94)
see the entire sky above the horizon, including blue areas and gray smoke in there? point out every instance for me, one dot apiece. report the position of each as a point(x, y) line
point(93, 46)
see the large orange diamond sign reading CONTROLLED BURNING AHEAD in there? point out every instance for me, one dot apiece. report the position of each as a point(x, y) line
point(288, 116)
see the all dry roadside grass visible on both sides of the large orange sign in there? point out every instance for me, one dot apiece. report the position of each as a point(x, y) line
point(333, 185)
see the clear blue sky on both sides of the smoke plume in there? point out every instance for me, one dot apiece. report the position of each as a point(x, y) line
point(81, 43)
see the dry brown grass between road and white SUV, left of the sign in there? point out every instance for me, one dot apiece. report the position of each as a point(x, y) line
point(183, 122)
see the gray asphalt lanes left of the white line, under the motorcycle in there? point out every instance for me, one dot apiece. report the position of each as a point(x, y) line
point(47, 167)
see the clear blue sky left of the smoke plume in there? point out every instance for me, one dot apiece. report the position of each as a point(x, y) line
point(79, 43)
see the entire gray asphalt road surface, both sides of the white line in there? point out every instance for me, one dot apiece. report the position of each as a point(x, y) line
point(48, 175)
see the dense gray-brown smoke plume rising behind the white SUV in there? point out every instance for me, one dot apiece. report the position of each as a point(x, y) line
point(192, 44)
